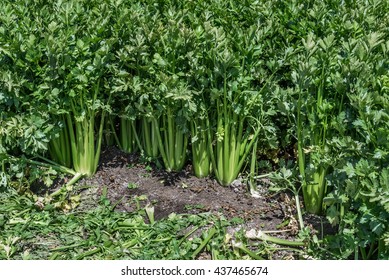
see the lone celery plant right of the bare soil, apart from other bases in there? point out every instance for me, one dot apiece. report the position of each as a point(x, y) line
point(315, 107)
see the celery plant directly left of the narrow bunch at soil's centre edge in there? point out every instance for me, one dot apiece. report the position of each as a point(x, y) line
point(171, 104)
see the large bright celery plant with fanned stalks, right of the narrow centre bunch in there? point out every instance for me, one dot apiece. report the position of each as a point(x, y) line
point(241, 107)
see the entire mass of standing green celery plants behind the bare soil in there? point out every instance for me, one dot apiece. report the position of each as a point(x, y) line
point(220, 77)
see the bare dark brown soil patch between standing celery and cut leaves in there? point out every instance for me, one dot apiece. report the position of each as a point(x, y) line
point(131, 184)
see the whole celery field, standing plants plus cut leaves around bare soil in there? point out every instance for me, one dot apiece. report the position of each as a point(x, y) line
point(294, 92)
